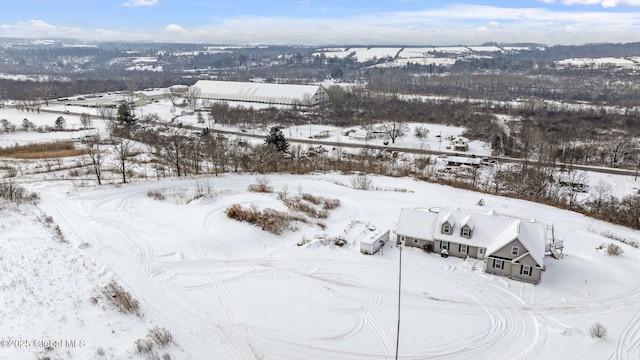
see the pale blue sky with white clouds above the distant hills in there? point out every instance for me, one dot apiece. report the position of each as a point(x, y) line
point(353, 22)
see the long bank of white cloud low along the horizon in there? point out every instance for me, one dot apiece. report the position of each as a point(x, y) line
point(454, 24)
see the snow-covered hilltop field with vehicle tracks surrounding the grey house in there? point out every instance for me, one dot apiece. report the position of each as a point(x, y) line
point(228, 290)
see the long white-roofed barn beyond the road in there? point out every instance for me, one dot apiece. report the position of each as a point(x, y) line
point(280, 94)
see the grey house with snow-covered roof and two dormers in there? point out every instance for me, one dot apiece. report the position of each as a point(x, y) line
point(509, 247)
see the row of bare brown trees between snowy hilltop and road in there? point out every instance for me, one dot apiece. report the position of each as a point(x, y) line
point(176, 152)
